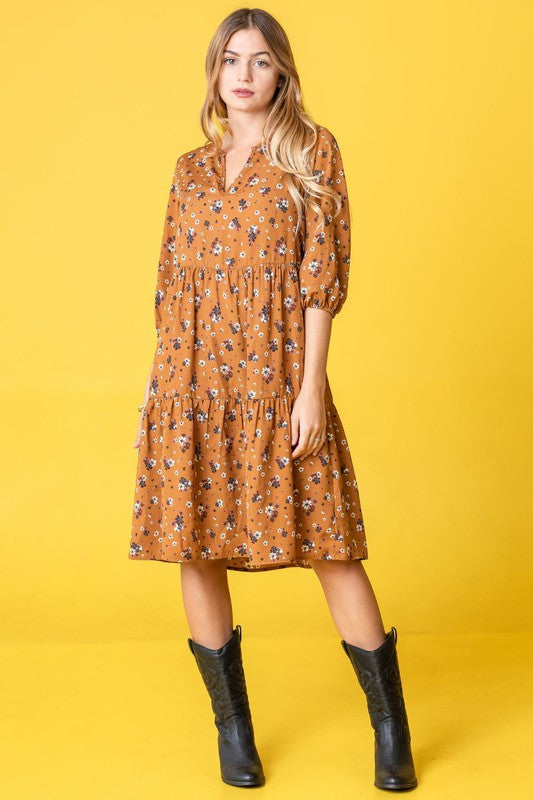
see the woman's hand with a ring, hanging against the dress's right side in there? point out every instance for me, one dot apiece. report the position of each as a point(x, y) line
point(308, 422)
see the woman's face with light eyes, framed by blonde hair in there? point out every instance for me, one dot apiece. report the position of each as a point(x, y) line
point(247, 64)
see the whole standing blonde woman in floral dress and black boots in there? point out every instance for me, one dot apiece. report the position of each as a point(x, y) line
point(253, 267)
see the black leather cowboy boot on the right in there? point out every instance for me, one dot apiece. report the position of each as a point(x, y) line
point(379, 676)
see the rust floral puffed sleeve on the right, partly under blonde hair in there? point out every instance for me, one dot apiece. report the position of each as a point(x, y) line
point(324, 268)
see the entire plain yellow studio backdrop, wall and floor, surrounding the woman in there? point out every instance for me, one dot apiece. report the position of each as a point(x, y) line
point(430, 367)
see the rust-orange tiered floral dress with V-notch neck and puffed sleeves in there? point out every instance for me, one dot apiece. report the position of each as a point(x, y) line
point(215, 475)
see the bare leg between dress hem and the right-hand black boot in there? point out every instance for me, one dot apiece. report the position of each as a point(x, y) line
point(351, 601)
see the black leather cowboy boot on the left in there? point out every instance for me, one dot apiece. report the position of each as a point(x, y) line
point(223, 675)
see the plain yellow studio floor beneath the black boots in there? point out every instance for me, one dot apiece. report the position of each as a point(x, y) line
point(133, 719)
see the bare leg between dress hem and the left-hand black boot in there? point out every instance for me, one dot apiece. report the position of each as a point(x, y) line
point(207, 601)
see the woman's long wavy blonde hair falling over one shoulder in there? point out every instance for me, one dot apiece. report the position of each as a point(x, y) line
point(289, 134)
